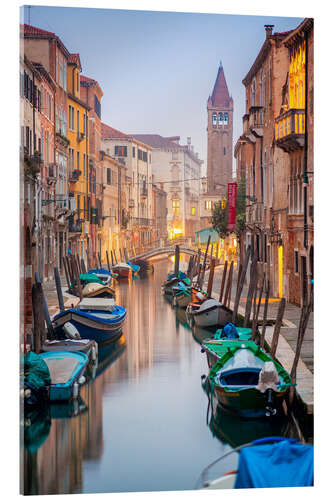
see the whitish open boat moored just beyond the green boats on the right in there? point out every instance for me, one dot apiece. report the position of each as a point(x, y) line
point(210, 313)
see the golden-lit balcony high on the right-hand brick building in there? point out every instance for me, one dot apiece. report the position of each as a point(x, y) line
point(290, 130)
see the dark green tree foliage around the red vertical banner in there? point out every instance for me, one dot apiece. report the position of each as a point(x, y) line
point(219, 218)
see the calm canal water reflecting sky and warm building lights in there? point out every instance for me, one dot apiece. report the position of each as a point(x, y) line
point(141, 423)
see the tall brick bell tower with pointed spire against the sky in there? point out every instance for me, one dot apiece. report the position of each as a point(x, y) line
point(220, 108)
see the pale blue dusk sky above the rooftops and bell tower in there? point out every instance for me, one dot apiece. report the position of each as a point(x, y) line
point(157, 69)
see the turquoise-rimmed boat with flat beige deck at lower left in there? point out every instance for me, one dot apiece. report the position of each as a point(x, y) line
point(66, 372)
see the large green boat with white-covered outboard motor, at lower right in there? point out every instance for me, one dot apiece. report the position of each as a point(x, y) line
point(246, 380)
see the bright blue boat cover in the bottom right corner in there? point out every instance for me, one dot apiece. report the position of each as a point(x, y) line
point(277, 465)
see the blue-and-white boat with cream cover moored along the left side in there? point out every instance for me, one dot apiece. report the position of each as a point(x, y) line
point(95, 319)
